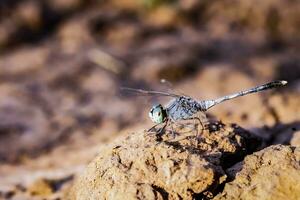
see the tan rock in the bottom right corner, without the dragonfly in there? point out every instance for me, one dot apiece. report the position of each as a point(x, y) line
point(272, 173)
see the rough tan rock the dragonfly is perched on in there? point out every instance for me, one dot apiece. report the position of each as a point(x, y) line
point(148, 165)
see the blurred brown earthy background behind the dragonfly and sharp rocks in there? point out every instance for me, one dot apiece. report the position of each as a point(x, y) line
point(62, 63)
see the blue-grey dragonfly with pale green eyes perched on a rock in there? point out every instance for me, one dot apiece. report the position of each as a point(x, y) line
point(183, 107)
